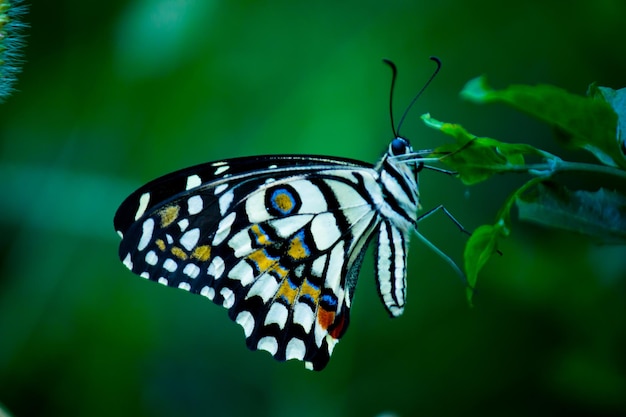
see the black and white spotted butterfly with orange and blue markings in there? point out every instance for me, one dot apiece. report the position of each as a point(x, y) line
point(279, 240)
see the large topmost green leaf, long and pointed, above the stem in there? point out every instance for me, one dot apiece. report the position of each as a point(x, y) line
point(583, 122)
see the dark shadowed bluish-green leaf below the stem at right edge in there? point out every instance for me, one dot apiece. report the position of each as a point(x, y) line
point(600, 214)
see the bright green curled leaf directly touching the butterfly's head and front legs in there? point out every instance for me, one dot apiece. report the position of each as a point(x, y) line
point(475, 159)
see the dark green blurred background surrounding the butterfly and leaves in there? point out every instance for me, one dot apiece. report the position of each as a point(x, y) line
point(116, 93)
